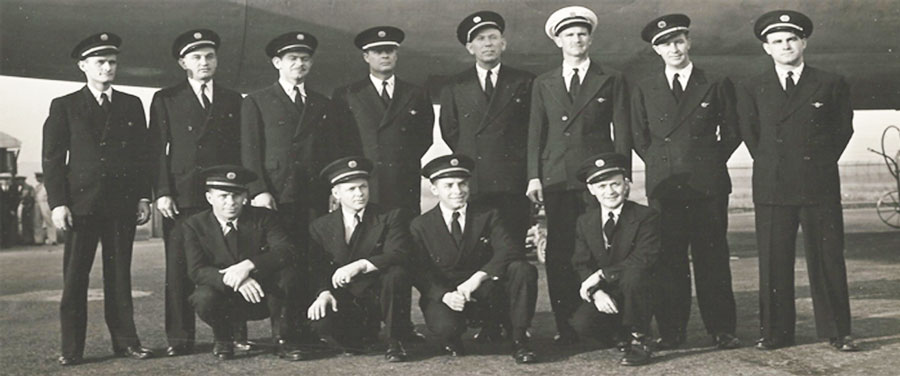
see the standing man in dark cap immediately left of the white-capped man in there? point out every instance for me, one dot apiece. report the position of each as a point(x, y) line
point(484, 114)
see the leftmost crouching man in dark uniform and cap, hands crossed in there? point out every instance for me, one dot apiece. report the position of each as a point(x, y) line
point(240, 259)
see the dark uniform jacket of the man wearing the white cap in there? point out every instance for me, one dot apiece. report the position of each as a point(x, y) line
point(563, 133)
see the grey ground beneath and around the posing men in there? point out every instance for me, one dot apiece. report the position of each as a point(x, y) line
point(31, 278)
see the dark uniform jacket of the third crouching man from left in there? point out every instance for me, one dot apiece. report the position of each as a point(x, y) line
point(441, 266)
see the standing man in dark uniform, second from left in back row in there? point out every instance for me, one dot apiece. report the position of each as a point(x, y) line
point(193, 125)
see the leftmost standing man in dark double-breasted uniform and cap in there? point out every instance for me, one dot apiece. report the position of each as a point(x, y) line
point(95, 157)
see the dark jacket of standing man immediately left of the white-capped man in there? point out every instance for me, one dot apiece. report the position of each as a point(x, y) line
point(495, 132)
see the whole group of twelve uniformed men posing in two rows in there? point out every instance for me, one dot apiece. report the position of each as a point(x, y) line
point(244, 187)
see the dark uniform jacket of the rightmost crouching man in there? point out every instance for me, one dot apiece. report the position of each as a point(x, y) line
point(635, 245)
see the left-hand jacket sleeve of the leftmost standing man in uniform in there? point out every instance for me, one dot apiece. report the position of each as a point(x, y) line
point(55, 147)
